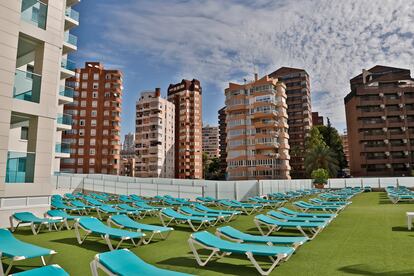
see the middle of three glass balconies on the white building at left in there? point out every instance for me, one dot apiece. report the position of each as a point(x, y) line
point(27, 86)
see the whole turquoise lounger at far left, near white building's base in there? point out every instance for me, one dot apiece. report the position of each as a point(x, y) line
point(35, 222)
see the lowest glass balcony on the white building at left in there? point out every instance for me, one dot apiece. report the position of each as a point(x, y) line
point(20, 167)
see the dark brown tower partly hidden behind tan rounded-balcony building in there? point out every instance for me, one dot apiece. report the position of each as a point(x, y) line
point(299, 112)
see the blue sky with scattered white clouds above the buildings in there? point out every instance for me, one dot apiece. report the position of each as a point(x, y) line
point(158, 42)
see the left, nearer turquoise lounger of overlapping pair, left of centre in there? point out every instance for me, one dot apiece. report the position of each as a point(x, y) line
point(93, 226)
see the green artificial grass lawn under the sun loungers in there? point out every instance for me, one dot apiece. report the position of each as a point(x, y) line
point(369, 238)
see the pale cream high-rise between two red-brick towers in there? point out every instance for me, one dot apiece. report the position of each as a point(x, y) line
point(155, 136)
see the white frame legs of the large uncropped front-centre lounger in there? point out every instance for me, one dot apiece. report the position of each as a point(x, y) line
point(219, 254)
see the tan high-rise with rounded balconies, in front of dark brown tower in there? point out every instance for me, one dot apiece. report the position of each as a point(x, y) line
point(257, 130)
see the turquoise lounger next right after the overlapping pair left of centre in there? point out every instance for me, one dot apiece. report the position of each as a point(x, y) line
point(177, 218)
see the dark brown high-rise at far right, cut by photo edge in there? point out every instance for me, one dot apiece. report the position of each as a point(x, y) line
point(380, 122)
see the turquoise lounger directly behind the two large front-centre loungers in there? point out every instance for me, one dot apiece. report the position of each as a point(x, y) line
point(267, 225)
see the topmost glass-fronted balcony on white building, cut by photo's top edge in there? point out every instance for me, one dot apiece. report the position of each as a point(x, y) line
point(34, 12)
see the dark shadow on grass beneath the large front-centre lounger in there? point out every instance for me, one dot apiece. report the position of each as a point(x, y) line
point(246, 268)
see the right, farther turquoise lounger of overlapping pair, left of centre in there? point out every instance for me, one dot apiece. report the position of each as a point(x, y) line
point(124, 221)
